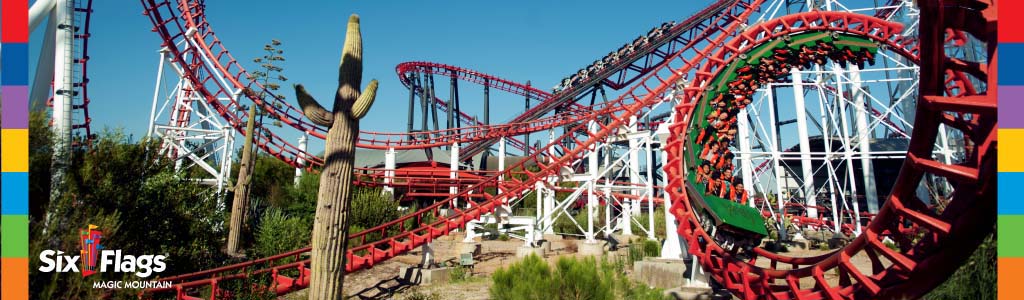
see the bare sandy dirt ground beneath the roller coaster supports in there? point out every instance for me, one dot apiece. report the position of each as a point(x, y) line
point(383, 282)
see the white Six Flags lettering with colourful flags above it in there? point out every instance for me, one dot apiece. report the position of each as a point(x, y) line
point(95, 255)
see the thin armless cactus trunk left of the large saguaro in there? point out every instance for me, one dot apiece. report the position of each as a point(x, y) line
point(242, 189)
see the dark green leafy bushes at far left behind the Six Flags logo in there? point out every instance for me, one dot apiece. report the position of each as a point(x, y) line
point(133, 194)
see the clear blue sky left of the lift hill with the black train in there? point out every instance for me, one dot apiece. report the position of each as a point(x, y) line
point(542, 41)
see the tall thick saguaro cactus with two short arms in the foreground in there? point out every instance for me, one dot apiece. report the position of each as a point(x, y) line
point(331, 226)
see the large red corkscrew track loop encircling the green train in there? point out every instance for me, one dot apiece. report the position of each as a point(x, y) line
point(945, 239)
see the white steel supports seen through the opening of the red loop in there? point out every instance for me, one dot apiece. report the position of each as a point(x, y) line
point(839, 112)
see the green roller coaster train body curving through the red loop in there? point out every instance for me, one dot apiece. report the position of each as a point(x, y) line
point(736, 227)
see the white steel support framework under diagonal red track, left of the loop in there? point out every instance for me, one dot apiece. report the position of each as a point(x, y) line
point(610, 170)
